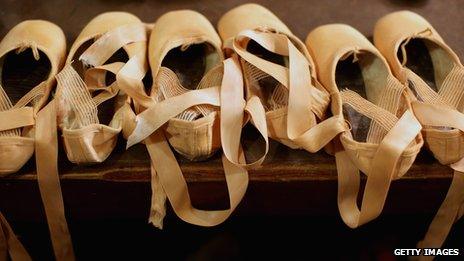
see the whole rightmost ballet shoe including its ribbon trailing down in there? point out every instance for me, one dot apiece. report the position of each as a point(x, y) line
point(421, 59)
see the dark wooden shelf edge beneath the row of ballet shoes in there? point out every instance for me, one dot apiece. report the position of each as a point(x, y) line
point(290, 182)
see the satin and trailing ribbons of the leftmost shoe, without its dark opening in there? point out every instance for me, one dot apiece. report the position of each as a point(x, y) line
point(41, 139)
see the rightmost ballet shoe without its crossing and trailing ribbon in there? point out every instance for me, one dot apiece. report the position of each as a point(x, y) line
point(420, 58)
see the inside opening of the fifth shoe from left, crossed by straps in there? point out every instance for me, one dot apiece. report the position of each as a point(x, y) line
point(370, 97)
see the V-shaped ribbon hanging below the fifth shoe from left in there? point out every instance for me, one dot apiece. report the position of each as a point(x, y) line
point(380, 174)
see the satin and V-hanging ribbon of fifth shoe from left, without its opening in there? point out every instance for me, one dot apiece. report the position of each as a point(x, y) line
point(382, 162)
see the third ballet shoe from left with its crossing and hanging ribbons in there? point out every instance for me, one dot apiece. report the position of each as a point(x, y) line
point(183, 111)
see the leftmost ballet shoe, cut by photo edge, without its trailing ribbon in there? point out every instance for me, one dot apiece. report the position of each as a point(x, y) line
point(30, 60)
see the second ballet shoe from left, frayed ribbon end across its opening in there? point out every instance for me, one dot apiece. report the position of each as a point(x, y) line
point(107, 59)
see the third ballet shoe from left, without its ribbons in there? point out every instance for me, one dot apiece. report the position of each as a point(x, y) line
point(181, 61)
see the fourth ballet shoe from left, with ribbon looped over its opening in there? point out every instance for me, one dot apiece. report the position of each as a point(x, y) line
point(284, 100)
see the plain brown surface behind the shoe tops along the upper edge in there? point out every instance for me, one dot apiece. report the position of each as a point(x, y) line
point(301, 16)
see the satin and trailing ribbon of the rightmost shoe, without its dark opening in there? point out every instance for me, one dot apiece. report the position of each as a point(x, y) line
point(391, 35)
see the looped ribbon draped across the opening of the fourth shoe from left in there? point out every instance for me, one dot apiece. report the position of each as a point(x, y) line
point(305, 101)
